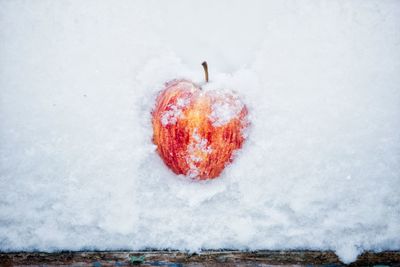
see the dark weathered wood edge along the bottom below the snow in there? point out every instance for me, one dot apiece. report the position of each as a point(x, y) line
point(207, 257)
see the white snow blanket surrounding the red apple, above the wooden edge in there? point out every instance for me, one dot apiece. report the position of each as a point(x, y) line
point(321, 166)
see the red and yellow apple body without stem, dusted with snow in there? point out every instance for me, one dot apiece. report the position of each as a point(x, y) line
point(191, 137)
